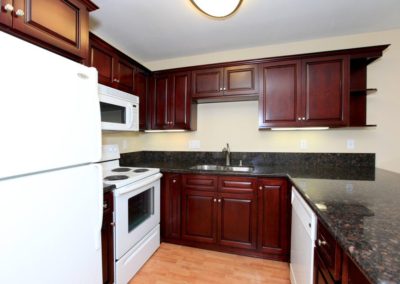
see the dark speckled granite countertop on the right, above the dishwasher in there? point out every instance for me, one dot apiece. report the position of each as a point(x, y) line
point(364, 217)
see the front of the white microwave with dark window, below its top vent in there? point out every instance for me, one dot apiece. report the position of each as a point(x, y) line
point(117, 114)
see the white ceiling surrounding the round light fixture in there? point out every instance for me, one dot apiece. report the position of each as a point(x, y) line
point(151, 30)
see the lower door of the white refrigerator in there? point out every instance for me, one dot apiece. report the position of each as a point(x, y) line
point(50, 227)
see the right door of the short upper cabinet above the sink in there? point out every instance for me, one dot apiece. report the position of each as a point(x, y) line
point(241, 80)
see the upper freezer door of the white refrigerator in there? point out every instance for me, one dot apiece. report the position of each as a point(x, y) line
point(49, 110)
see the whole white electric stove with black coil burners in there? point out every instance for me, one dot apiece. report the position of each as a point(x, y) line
point(136, 213)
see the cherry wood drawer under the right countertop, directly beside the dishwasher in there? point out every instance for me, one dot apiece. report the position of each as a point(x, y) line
point(329, 251)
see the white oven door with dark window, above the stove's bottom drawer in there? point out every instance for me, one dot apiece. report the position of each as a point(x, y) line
point(137, 212)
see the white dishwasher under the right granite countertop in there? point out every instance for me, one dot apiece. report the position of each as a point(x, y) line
point(304, 230)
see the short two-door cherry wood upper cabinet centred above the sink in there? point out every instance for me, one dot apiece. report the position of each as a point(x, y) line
point(225, 84)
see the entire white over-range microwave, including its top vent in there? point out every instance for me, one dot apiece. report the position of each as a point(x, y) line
point(119, 110)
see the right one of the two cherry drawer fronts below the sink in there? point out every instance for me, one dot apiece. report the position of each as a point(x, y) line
point(237, 184)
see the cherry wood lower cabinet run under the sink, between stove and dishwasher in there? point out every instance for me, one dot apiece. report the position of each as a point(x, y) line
point(221, 213)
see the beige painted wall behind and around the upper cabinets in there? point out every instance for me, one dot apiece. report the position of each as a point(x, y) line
point(237, 122)
